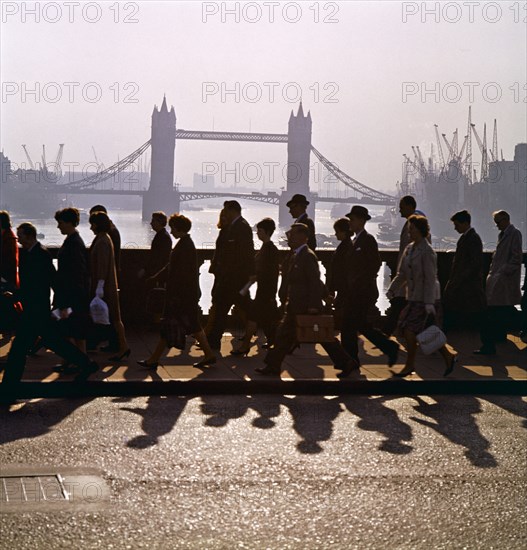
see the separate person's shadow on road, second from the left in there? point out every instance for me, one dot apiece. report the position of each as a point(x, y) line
point(158, 419)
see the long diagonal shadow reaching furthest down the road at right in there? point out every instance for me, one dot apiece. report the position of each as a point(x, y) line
point(453, 418)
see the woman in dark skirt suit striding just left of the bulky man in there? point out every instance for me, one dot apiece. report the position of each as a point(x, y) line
point(181, 314)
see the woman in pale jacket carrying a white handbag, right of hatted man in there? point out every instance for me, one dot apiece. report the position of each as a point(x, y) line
point(418, 268)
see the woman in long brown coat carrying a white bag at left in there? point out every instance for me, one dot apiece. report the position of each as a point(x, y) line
point(104, 277)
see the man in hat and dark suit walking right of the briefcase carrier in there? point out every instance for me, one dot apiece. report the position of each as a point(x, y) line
point(363, 263)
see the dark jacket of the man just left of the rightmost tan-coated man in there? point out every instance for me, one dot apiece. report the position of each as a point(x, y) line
point(464, 289)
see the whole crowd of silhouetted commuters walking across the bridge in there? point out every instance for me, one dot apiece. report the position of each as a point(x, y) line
point(86, 289)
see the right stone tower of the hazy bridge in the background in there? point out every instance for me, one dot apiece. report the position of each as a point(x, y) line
point(298, 154)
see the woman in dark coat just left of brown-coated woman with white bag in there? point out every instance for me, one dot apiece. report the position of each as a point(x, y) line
point(72, 287)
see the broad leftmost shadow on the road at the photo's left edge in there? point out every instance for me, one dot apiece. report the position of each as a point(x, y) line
point(36, 418)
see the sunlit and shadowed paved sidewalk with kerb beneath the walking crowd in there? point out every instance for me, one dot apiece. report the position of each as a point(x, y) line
point(307, 370)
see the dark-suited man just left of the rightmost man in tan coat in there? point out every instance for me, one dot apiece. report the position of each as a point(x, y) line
point(464, 297)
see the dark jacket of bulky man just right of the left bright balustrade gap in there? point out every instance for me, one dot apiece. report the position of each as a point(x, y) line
point(233, 261)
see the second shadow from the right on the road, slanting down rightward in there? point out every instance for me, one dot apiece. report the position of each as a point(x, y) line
point(376, 417)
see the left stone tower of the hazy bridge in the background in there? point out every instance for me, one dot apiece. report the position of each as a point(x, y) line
point(161, 194)
